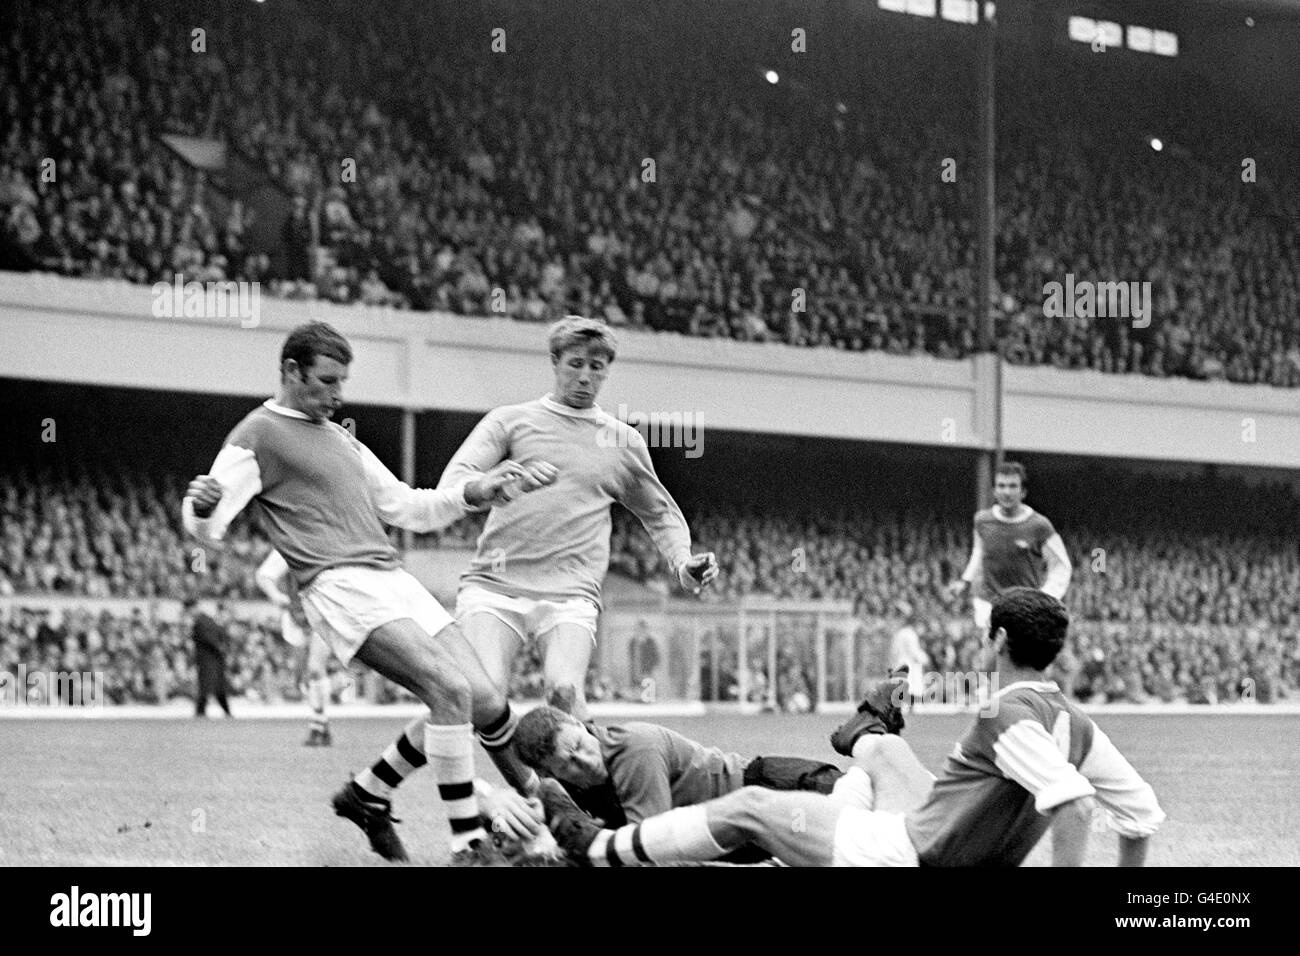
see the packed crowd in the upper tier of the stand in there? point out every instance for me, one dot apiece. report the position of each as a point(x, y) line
point(483, 192)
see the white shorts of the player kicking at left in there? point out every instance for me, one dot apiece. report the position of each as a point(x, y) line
point(344, 605)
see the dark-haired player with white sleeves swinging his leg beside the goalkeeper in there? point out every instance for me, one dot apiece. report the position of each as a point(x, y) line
point(323, 500)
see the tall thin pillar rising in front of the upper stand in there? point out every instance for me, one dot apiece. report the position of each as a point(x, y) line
point(986, 249)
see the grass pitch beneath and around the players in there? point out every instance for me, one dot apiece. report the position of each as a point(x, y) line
point(116, 793)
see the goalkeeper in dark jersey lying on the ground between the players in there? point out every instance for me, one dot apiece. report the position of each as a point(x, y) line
point(623, 776)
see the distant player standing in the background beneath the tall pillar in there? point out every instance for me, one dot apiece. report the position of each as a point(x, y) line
point(1009, 548)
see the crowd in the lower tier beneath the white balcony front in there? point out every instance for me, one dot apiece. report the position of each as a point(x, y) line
point(1163, 611)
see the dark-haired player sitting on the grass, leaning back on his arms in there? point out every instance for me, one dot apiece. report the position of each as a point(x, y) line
point(1032, 762)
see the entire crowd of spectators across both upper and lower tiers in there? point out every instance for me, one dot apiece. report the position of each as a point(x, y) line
point(482, 191)
